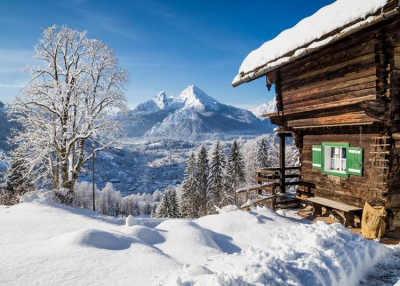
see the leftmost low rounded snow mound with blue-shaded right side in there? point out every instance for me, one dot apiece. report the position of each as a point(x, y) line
point(94, 238)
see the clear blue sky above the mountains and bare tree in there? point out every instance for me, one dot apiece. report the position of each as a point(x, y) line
point(165, 45)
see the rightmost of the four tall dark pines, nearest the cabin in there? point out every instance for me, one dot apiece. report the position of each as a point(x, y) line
point(235, 173)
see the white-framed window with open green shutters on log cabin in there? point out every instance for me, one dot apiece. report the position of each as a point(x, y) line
point(337, 159)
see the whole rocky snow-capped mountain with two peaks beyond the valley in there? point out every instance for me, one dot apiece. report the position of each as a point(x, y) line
point(192, 115)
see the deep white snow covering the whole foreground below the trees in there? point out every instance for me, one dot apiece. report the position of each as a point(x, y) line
point(46, 244)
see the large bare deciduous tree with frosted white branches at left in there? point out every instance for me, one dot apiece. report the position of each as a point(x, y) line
point(66, 105)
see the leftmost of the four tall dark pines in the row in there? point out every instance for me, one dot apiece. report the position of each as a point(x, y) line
point(189, 189)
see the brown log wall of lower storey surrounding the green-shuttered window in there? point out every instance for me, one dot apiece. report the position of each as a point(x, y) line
point(353, 190)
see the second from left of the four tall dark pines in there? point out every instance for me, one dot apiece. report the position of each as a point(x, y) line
point(202, 178)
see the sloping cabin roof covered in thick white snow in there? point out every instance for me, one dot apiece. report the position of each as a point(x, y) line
point(326, 26)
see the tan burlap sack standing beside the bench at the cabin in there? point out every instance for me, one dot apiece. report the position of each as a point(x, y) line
point(373, 223)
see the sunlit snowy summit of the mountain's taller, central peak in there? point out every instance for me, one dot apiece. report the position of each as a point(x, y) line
point(194, 98)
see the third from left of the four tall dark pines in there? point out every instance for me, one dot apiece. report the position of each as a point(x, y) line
point(217, 166)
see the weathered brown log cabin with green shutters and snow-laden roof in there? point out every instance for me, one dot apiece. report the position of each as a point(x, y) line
point(338, 95)
